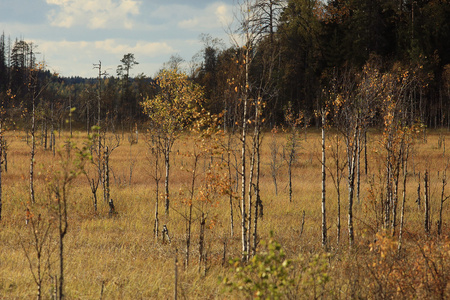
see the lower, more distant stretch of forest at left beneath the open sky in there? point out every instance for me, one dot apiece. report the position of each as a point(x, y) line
point(21, 75)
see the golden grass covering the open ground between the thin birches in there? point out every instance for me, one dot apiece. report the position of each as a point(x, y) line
point(120, 252)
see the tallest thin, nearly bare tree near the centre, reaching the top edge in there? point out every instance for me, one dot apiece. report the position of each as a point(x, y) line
point(256, 21)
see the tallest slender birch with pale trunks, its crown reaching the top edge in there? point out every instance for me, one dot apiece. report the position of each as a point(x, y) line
point(256, 21)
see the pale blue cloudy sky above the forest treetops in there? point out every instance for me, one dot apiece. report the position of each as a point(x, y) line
point(71, 35)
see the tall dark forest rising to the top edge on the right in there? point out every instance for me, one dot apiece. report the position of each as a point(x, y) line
point(309, 42)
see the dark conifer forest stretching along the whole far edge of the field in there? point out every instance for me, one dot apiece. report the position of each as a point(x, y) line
point(300, 50)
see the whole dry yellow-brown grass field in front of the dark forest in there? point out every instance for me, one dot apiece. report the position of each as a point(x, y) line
point(117, 257)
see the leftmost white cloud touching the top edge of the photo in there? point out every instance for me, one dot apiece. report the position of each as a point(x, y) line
point(94, 14)
